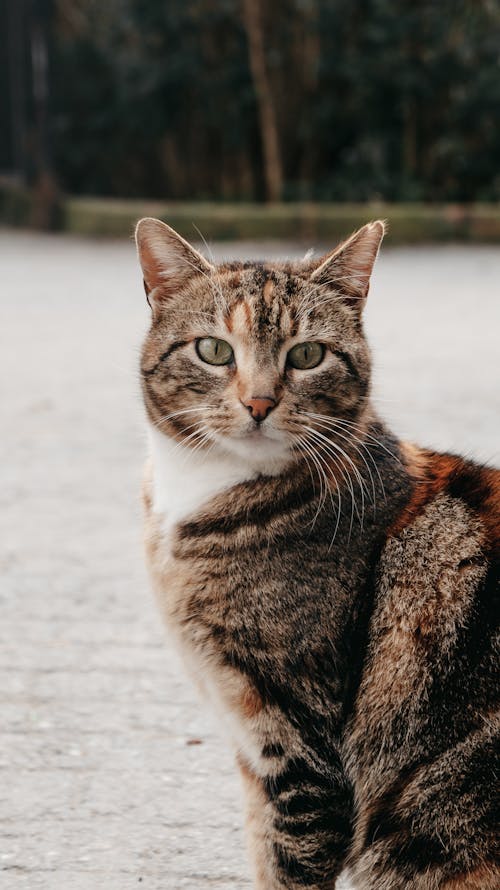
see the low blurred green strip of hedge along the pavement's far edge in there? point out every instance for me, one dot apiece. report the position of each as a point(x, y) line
point(311, 223)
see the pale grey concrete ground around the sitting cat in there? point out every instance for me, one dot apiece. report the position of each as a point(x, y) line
point(112, 774)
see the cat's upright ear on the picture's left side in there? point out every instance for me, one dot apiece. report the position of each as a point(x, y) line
point(167, 260)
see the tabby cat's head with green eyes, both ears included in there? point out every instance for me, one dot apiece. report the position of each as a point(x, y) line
point(248, 358)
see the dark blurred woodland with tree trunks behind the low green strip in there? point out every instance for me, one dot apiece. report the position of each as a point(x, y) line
point(329, 100)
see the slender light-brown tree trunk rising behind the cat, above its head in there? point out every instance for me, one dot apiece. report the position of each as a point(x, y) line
point(267, 114)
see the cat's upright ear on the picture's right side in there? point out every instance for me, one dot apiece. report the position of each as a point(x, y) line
point(350, 265)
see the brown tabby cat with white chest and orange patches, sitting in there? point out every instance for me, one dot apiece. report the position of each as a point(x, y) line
point(333, 590)
